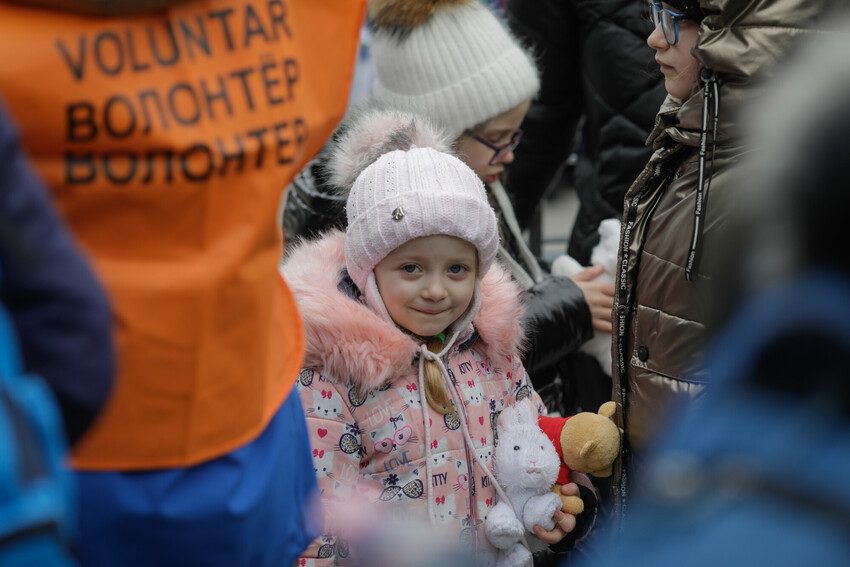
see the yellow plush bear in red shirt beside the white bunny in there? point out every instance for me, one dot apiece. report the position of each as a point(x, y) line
point(586, 442)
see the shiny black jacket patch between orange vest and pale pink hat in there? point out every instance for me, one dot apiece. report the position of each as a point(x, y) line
point(312, 206)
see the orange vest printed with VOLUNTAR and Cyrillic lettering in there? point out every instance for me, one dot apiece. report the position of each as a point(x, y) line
point(167, 138)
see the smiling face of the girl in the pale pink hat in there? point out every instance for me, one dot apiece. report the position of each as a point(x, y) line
point(427, 283)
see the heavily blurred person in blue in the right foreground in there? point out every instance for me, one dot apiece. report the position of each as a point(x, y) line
point(752, 474)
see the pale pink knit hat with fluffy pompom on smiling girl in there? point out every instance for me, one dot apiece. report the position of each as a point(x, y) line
point(408, 192)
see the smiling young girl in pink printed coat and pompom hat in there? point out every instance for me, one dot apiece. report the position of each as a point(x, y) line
point(413, 337)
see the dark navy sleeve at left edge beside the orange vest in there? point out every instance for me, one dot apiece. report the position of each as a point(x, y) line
point(58, 307)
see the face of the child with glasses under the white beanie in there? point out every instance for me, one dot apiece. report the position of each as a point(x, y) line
point(498, 131)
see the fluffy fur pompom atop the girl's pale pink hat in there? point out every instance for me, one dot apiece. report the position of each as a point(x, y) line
point(374, 131)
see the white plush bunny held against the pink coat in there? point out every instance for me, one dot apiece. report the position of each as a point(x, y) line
point(526, 467)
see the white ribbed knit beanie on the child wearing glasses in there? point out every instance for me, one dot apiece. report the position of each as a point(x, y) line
point(460, 67)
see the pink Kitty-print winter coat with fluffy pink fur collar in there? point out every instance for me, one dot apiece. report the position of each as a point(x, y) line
point(365, 413)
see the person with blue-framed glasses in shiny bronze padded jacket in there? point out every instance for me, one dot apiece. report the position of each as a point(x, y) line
point(677, 210)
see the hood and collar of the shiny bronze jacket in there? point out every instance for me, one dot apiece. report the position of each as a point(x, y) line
point(741, 41)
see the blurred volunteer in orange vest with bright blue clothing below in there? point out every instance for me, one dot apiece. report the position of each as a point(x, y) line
point(165, 146)
